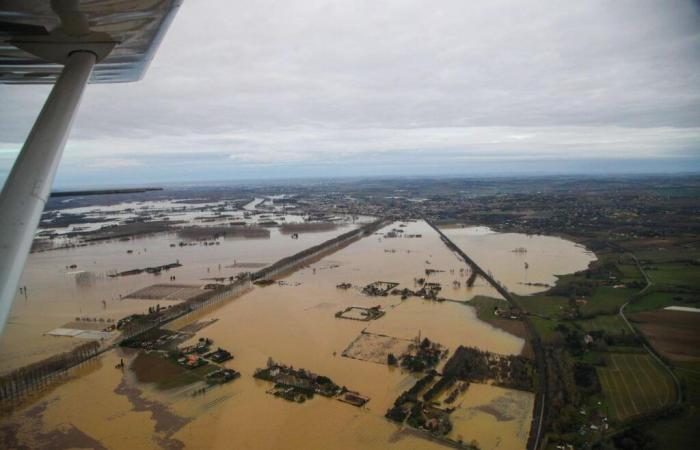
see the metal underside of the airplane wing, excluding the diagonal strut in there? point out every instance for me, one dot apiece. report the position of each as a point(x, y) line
point(136, 26)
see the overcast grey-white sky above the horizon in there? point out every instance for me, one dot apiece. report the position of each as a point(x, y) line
point(256, 89)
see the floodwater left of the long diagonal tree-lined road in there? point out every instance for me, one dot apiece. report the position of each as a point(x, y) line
point(57, 294)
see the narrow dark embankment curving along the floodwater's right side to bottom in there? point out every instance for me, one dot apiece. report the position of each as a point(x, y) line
point(538, 417)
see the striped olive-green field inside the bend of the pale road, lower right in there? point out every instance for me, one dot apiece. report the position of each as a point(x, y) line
point(635, 384)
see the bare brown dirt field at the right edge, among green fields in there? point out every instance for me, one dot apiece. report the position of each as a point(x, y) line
point(675, 334)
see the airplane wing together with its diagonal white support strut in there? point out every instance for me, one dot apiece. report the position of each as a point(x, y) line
point(67, 43)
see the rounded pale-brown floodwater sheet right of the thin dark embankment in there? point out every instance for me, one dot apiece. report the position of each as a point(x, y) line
point(506, 256)
